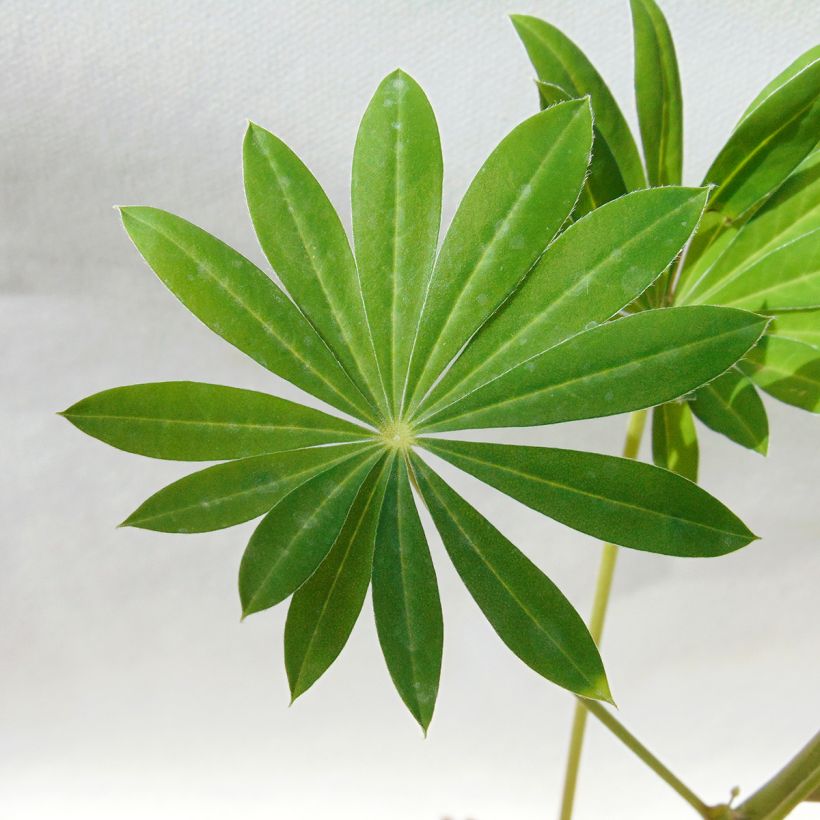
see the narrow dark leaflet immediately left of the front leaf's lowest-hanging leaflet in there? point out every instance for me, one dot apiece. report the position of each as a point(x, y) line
point(324, 610)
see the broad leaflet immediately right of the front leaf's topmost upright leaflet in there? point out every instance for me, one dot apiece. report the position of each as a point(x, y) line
point(519, 199)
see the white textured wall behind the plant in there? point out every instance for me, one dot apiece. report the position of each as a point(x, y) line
point(128, 688)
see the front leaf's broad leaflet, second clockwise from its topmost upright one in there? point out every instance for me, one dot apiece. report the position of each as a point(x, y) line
point(592, 270)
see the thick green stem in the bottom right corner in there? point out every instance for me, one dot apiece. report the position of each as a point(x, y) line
point(795, 782)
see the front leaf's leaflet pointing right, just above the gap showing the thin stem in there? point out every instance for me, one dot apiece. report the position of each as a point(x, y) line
point(639, 361)
